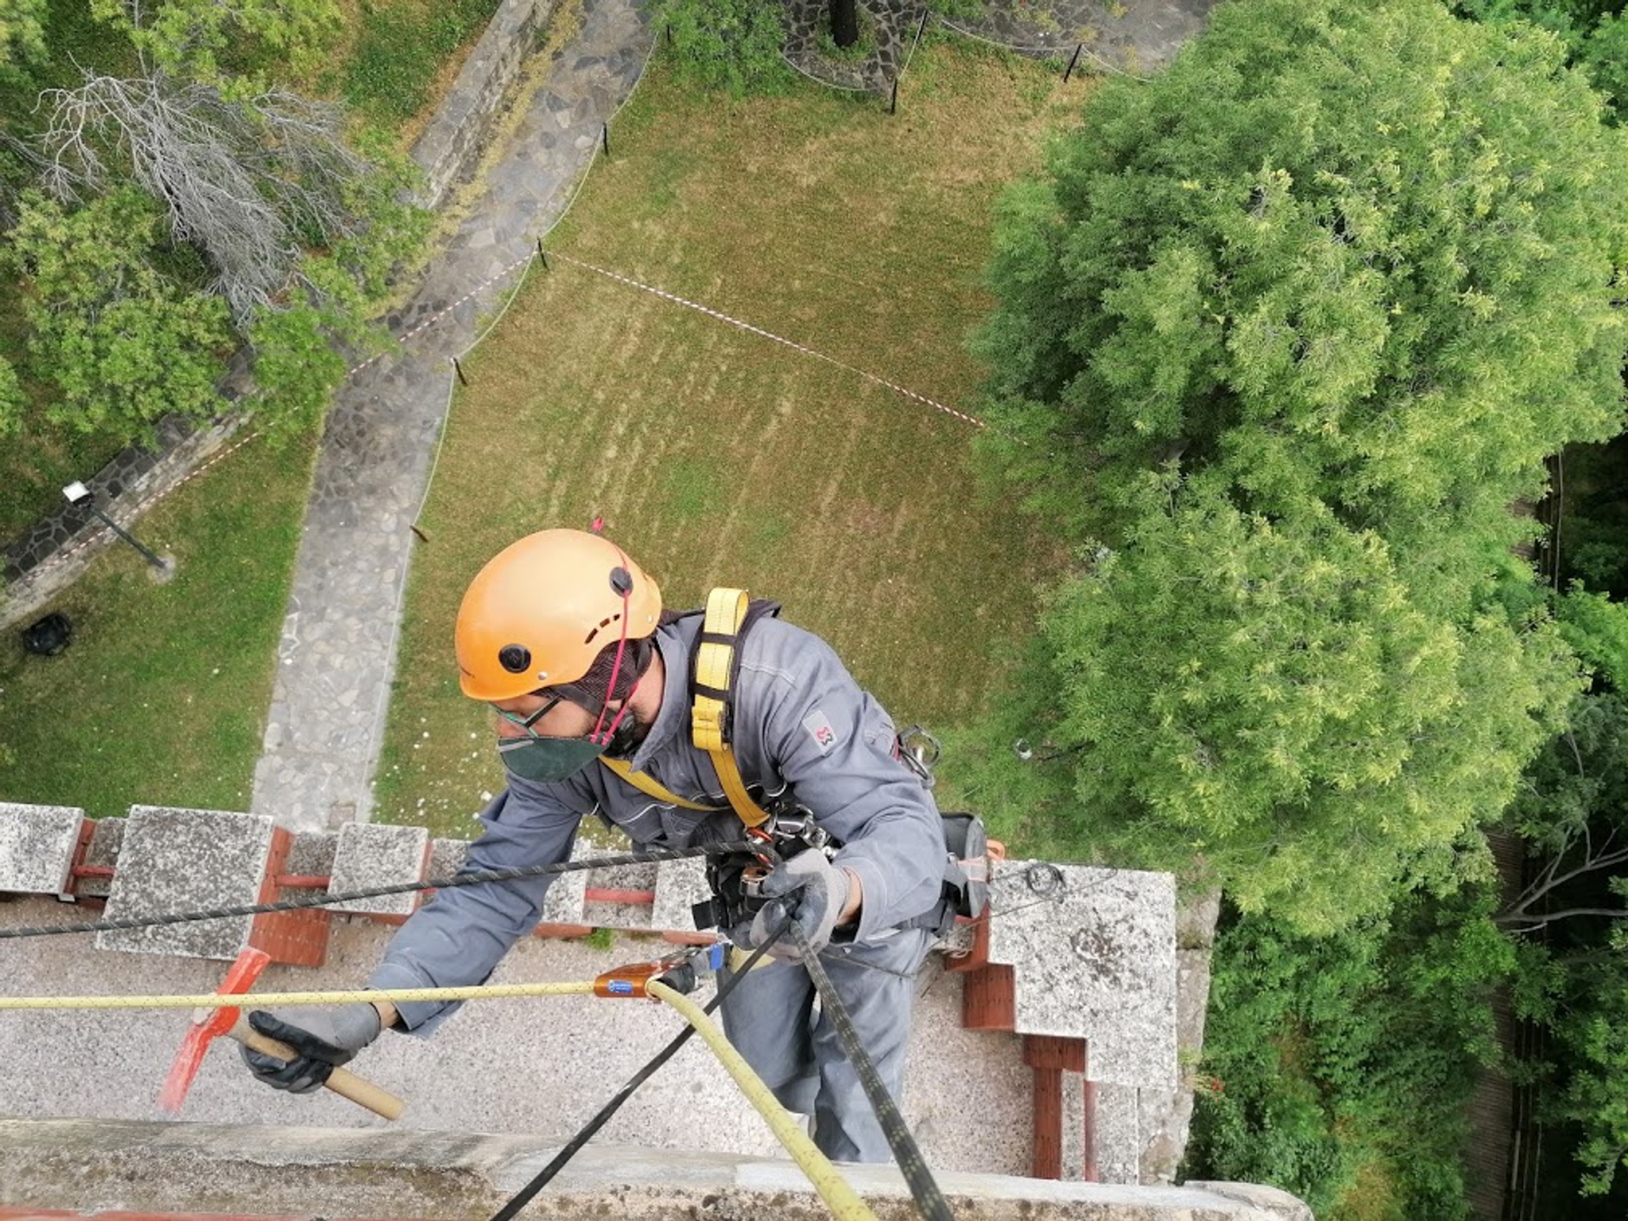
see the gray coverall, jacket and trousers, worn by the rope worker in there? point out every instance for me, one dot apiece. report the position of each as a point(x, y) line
point(802, 724)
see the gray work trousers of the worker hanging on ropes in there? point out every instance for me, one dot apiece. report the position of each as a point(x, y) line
point(774, 1022)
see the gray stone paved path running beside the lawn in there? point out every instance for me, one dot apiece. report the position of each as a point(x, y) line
point(339, 639)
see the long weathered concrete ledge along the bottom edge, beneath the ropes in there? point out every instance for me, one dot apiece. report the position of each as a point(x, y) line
point(199, 1168)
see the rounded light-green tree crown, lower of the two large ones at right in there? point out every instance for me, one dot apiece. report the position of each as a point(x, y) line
point(1269, 698)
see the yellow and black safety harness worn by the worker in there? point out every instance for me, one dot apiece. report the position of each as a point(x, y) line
point(714, 668)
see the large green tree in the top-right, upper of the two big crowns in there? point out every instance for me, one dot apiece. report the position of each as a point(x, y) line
point(1352, 253)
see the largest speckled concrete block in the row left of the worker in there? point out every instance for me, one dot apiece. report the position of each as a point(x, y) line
point(188, 860)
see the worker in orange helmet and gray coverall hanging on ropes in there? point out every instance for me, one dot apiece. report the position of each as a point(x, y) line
point(592, 691)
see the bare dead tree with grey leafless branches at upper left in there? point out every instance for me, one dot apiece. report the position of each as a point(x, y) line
point(248, 182)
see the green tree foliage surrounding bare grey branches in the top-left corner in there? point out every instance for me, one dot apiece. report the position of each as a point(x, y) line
point(195, 204)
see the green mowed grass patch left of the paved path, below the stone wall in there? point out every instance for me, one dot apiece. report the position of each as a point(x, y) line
point(162, 696)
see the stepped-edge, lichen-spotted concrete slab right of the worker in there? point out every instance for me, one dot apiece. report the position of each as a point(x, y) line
point(1093, 960)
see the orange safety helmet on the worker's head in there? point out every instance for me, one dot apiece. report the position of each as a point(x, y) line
point(543, 610)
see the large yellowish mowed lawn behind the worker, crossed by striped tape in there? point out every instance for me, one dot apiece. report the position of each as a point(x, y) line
point(722, 458)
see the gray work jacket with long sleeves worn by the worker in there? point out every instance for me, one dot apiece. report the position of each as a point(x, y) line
point(800, 722)
